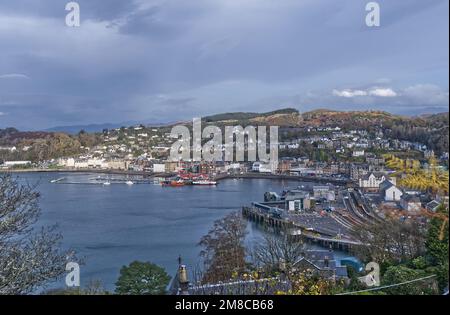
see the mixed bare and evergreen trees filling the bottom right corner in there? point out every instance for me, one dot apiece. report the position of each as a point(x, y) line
point(407, 252)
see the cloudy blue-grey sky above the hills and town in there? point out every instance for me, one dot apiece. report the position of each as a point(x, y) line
point(169, 60)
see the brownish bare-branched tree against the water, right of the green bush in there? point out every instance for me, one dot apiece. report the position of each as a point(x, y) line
point(223, 250)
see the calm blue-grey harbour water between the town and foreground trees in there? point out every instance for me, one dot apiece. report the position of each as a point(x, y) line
point(112, 225)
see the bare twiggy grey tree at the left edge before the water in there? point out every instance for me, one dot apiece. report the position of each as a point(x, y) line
point(29, 257)
